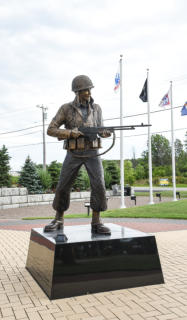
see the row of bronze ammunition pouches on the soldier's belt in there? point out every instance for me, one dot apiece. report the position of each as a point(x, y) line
point(82, 143)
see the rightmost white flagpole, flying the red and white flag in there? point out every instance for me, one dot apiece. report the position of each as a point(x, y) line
point(173, 146)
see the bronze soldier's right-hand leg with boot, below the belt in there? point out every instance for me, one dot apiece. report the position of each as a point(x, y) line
point(98, 200)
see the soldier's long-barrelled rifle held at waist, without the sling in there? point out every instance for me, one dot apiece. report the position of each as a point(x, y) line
point(92, 132)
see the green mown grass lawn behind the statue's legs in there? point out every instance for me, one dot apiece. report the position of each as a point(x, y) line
point(163, 210)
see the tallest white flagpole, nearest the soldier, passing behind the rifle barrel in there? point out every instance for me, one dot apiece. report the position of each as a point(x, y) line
point(121, 138)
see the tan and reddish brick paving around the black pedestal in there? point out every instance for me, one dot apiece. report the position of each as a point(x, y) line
point(22, 298)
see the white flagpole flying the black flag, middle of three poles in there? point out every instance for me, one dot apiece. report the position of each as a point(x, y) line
point(149, 145)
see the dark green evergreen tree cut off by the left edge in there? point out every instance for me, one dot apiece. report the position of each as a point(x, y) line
point(4, 168)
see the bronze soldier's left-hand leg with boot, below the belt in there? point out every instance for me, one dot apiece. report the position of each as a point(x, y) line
point(61, 201)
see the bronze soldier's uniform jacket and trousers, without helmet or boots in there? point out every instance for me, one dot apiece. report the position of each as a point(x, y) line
point(71, 116)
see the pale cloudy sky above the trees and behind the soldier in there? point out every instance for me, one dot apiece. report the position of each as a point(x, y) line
point(46, 43)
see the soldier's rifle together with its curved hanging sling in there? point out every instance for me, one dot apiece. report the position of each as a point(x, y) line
point(92, 132)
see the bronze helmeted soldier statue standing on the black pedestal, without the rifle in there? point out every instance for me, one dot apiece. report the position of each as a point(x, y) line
point(82, 112)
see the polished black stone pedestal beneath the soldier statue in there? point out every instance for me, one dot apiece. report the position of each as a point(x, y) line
point(86, 264)
